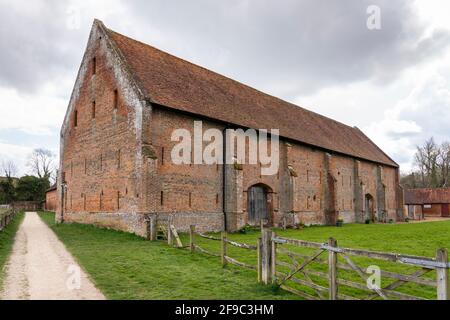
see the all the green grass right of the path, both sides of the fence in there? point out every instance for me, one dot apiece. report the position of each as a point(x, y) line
point(126, 267)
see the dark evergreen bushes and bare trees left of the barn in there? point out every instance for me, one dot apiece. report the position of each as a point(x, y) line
point(31, 187)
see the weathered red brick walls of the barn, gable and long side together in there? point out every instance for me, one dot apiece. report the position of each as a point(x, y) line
point(116, 164)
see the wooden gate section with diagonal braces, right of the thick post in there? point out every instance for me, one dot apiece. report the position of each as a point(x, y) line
point(328, 283)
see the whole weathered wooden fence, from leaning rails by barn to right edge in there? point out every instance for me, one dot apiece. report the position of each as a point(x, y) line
point(329, 271)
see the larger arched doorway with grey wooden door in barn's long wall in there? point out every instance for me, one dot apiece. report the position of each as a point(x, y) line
point(259, 204)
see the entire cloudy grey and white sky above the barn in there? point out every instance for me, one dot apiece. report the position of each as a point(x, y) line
point(393, 82)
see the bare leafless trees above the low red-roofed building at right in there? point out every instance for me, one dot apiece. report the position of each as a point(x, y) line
point(431, 166)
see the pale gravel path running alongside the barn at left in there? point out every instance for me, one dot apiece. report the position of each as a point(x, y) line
point(41, 268)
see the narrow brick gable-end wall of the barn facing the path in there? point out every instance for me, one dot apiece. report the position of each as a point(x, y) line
point(100, 148)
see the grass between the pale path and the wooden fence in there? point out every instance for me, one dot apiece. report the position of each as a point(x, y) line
point(124, 266)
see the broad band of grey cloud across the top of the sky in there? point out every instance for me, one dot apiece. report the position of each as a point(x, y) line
point(288, 48)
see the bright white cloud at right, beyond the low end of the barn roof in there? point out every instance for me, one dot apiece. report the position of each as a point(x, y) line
point(423, 113)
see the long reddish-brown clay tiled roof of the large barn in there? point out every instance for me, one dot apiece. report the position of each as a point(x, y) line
point(175, 83)
